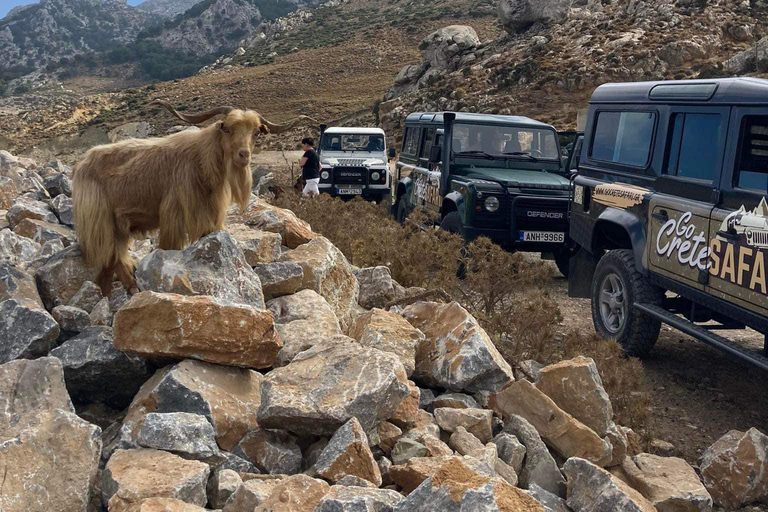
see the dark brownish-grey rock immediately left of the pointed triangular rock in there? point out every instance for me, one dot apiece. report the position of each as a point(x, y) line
point(272, 451)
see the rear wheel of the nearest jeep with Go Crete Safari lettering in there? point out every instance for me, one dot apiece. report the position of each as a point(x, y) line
point(618, 285)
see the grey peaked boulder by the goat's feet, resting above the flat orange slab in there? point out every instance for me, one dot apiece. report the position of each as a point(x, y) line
point(197, 270)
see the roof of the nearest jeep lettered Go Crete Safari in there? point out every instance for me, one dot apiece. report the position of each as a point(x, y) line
point(703, 91)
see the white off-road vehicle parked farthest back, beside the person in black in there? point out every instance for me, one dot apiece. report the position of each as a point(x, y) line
point(354, 162)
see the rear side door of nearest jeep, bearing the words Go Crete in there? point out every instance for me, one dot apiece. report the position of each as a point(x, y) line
point(686, 193)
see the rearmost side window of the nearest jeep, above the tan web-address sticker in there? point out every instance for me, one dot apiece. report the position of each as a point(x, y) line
point(623, 137)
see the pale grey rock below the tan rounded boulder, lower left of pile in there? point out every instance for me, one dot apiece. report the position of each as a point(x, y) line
point(189, 436)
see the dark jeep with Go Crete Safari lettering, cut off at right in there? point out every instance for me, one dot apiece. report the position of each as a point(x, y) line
point(669, 207)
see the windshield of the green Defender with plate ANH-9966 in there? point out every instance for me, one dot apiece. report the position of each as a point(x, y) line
point(505, 141)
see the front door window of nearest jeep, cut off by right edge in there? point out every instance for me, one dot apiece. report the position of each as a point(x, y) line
point(752, 163)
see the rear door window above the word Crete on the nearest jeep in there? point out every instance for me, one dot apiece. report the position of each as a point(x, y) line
point(694, 146)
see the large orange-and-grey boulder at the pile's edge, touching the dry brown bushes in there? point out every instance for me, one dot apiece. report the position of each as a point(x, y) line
point(456, 354)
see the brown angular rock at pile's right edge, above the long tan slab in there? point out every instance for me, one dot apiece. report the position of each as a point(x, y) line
point(575, 386)
